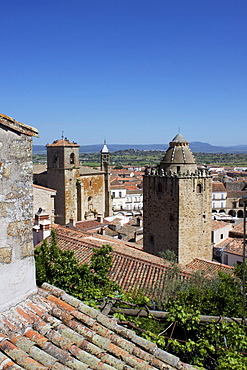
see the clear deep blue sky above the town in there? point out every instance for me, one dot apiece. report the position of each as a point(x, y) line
point(128, 71)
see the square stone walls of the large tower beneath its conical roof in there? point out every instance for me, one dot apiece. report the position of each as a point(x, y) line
point(176, 217)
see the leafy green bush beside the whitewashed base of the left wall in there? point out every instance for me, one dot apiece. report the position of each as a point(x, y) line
point(61, 268)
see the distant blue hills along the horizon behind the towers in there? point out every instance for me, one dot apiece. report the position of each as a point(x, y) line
point(196, 146)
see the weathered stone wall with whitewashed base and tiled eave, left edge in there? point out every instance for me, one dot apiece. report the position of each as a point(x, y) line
point(17, 269)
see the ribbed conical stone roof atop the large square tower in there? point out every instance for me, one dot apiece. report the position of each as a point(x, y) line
point(178, 157)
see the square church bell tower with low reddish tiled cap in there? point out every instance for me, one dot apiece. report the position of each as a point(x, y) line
point(62, 174)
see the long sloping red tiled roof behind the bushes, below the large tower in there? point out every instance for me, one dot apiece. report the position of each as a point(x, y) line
point(132, 267)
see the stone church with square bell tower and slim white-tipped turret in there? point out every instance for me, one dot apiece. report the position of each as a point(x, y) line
point(82, 193)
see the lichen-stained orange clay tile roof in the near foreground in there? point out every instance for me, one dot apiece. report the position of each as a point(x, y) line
point(53, 330)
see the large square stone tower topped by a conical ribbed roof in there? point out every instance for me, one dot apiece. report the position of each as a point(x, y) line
point(177, 205)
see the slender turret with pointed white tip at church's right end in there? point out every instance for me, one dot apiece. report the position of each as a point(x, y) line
point(105, 166)
